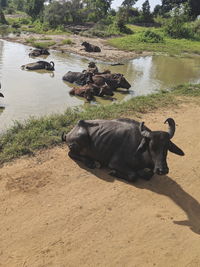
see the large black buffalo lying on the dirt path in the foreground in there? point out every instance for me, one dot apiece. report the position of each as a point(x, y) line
point(127, 147)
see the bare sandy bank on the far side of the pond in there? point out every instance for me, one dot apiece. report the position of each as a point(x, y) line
point(108, 53)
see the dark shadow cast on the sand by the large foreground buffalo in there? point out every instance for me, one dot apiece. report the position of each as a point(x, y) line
point(163, 185)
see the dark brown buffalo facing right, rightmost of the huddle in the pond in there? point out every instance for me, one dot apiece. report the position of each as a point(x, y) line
point(113, 80)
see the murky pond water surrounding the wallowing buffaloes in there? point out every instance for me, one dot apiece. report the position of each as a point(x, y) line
point(36, 93)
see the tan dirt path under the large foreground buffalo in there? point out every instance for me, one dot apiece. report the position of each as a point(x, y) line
point(54, 213)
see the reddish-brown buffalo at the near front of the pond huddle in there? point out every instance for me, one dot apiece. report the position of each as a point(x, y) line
point(89, 90)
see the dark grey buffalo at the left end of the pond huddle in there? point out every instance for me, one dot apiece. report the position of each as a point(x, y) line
point(81, 78)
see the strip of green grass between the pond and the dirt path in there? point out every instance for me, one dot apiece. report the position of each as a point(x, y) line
point(25, 138)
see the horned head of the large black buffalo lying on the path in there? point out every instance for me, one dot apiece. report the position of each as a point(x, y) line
point(157, 143)
